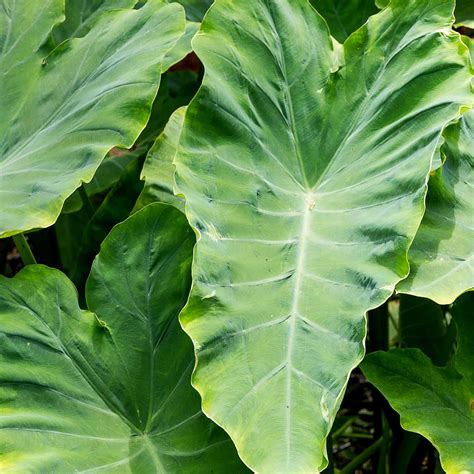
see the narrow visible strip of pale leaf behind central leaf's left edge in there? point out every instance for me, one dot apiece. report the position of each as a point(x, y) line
point(158, 170)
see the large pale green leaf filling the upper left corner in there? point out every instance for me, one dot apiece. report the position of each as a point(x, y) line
point(60, 116)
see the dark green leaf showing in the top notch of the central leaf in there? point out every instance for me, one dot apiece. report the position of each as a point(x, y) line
point(344, 16)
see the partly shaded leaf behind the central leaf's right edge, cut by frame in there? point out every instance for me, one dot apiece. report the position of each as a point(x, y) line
point(442, 257)
